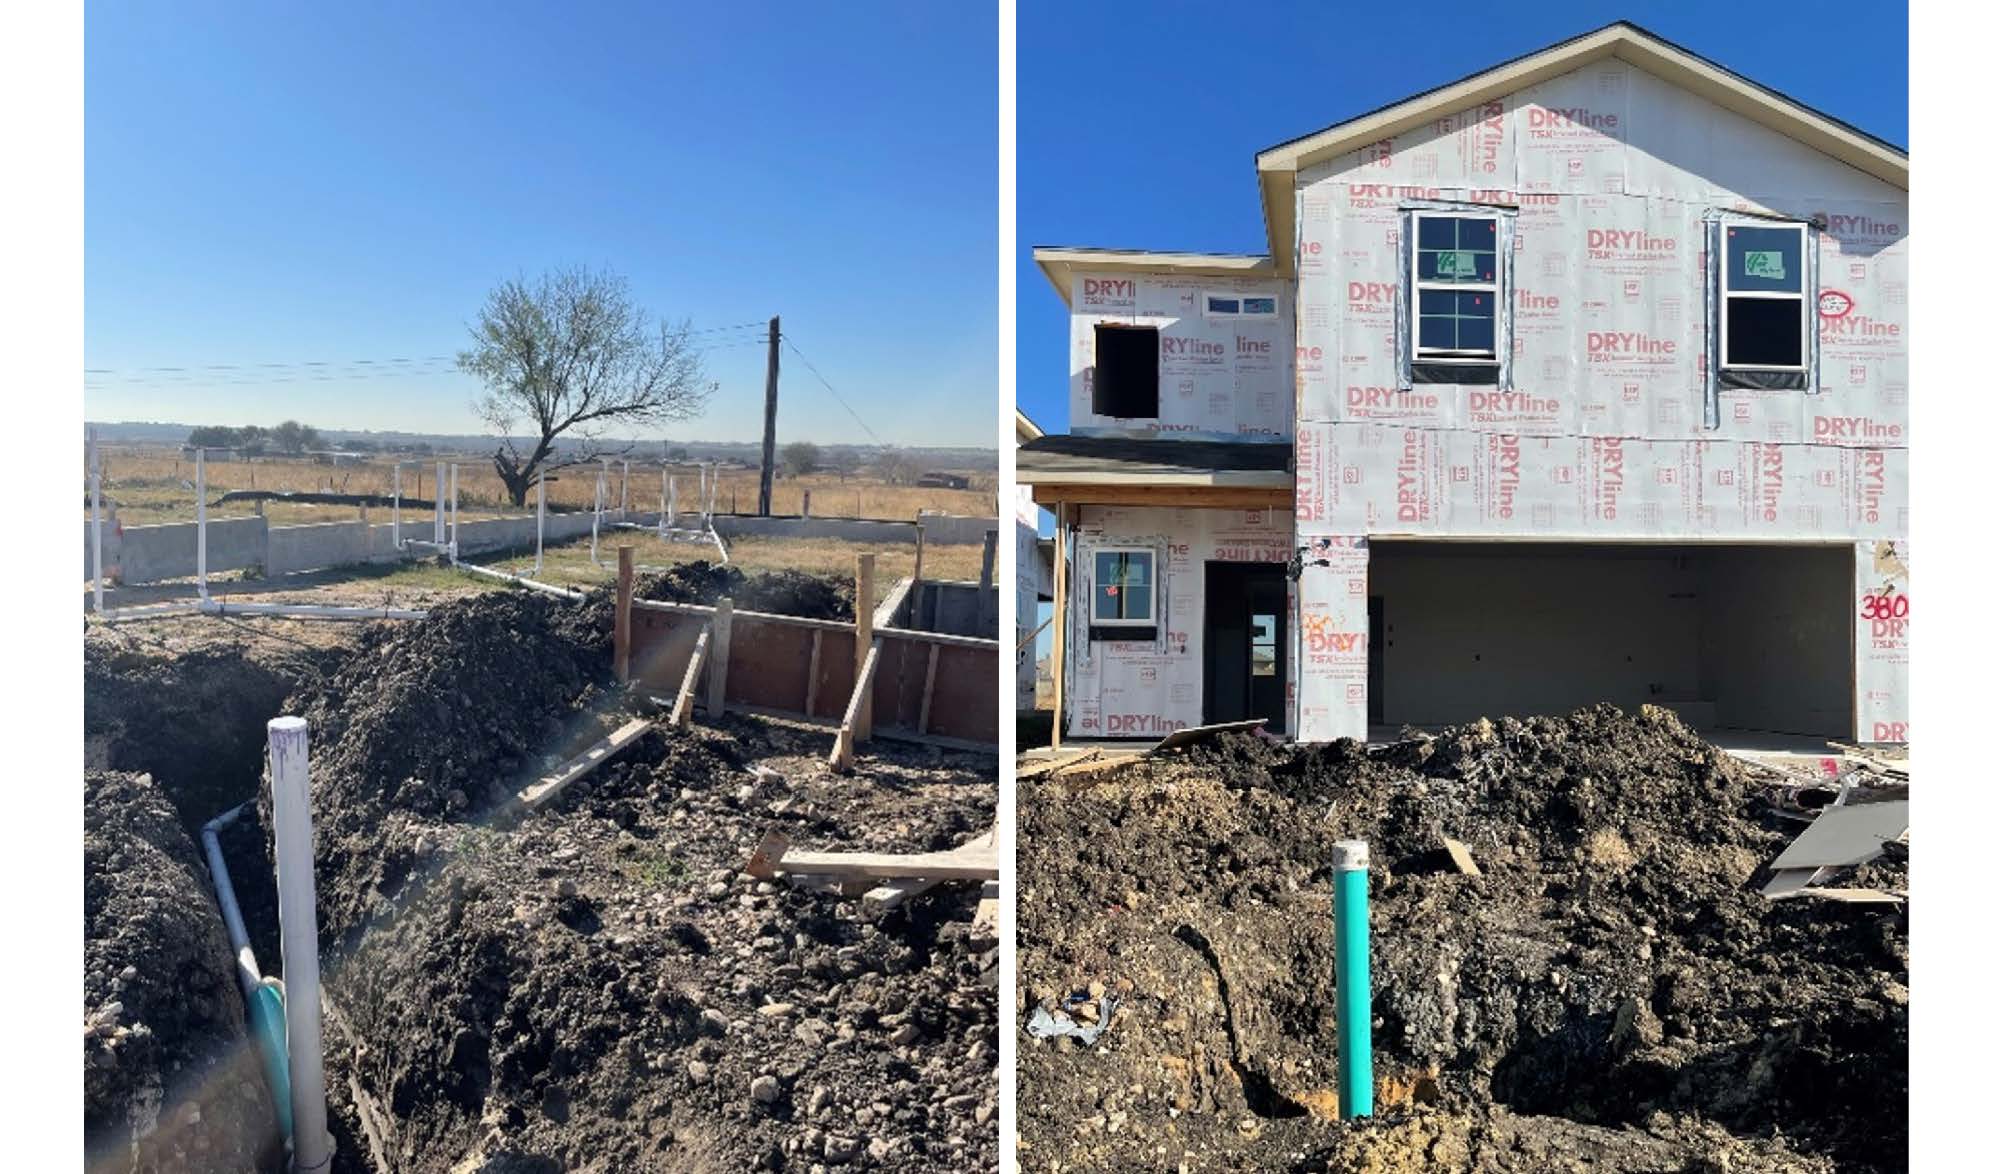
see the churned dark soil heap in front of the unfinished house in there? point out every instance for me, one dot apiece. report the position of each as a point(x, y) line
point(1612, 975)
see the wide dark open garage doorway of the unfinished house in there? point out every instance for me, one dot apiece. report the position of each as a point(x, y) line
point(1734, 638)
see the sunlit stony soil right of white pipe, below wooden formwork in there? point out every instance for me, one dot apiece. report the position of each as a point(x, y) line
point(602, 987)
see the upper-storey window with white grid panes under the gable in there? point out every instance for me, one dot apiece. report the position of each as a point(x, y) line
point(1456, 289)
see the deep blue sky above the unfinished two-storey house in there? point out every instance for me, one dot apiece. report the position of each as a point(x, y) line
point(1141, 129)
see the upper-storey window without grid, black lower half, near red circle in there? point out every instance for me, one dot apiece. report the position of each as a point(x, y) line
point(1763, 298)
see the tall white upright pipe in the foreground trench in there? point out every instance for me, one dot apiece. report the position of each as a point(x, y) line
point(298, 921)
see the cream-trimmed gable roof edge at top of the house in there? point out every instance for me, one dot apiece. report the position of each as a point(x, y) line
point(1630, 43)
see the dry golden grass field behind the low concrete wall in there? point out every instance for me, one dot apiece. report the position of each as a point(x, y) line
point(157, 484)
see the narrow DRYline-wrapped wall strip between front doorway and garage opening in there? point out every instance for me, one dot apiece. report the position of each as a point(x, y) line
point(1332, 640)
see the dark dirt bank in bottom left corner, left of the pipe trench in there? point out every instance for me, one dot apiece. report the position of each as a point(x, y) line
point(169, 1077)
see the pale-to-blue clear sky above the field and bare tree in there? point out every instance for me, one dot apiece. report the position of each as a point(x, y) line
point(310, 183)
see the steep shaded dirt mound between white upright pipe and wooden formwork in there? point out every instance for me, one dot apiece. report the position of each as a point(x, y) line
point(434, 722)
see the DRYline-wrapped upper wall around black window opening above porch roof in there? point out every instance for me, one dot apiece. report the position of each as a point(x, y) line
point(1219, 378)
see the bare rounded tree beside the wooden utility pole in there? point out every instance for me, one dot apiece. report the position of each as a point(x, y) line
point(570, 356)
